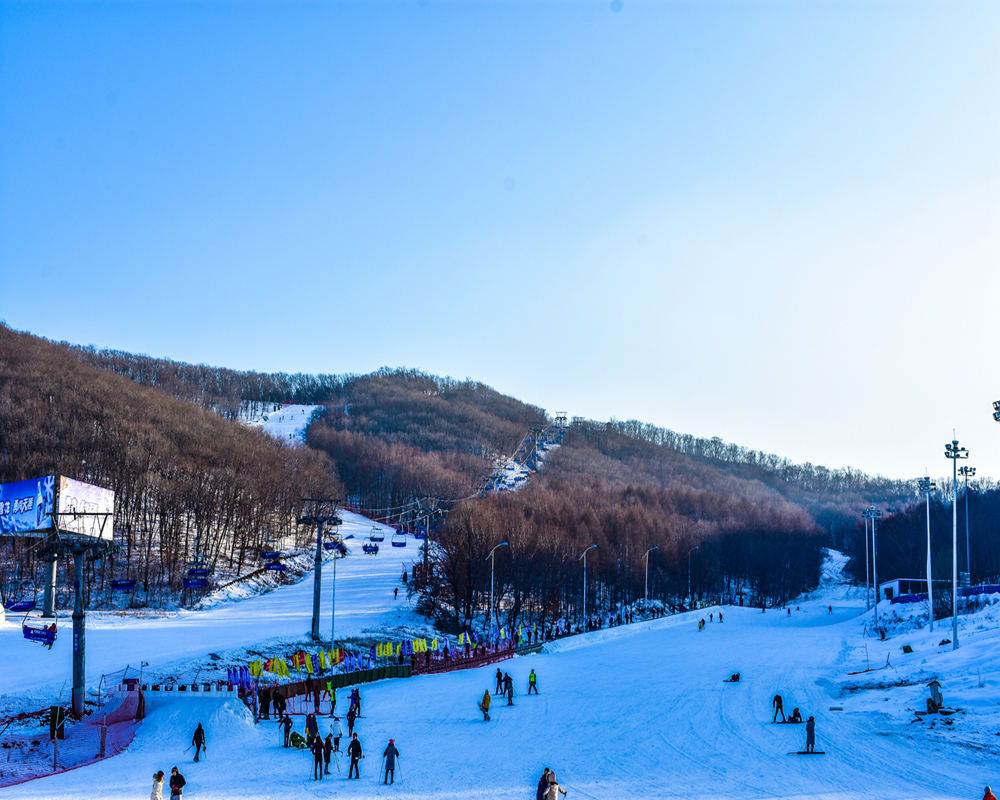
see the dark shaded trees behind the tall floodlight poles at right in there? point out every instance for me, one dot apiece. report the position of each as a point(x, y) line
point(901, 540)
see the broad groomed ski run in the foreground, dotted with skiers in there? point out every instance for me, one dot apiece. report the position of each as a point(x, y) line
point(637, 712)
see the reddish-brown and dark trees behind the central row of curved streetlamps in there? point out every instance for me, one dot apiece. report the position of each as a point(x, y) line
point(768, 553)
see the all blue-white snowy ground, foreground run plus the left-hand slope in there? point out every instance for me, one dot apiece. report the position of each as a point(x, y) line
point(639, 711)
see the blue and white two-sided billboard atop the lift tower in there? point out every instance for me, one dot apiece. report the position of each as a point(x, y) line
point(41, 506)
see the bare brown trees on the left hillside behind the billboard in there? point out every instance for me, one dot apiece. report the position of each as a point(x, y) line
point(186, 481)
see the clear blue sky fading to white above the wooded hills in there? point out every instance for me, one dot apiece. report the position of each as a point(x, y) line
point(773, 222)
